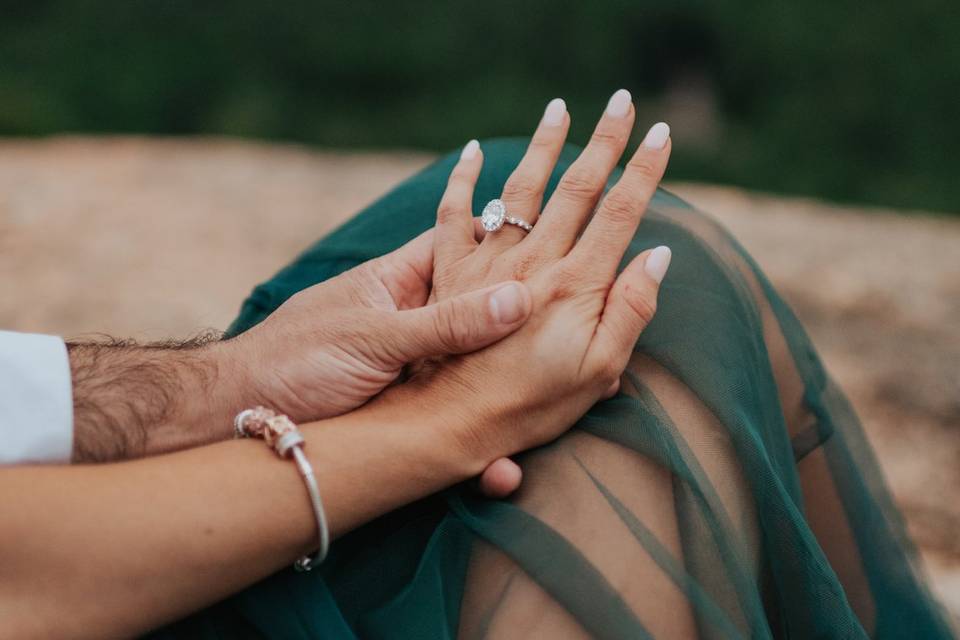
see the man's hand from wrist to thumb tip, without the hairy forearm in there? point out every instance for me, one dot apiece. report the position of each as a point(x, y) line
point(333, 346)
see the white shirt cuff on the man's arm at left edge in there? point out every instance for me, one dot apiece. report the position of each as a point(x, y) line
point(36, 399)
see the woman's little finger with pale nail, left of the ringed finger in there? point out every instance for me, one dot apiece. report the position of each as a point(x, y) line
point(454, 235)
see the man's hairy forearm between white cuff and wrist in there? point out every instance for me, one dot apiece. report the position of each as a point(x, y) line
point(134, 400)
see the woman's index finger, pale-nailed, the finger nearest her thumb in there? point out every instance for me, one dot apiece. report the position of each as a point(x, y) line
point(609, 233)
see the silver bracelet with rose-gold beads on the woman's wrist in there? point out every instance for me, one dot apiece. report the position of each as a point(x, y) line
point(282, 435)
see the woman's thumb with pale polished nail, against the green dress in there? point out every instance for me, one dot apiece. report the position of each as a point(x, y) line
point(630, 306)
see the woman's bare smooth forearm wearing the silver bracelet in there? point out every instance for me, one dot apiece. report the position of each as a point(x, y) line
point(118, 549)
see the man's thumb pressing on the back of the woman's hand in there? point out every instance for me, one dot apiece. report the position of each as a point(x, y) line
point(461, 324)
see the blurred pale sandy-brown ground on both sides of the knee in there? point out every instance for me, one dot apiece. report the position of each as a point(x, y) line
point(160, 238)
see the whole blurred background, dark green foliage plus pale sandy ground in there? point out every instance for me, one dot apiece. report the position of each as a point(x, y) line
point(159, 158)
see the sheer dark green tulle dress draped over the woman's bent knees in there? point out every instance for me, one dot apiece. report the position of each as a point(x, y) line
point(727, 491)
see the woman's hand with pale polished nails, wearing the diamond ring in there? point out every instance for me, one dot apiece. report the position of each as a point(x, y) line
point(530, 387)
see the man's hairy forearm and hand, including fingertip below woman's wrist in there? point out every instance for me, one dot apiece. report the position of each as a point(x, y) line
point(326, 351)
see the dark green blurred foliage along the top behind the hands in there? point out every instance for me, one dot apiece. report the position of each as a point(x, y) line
point(841, 99)
